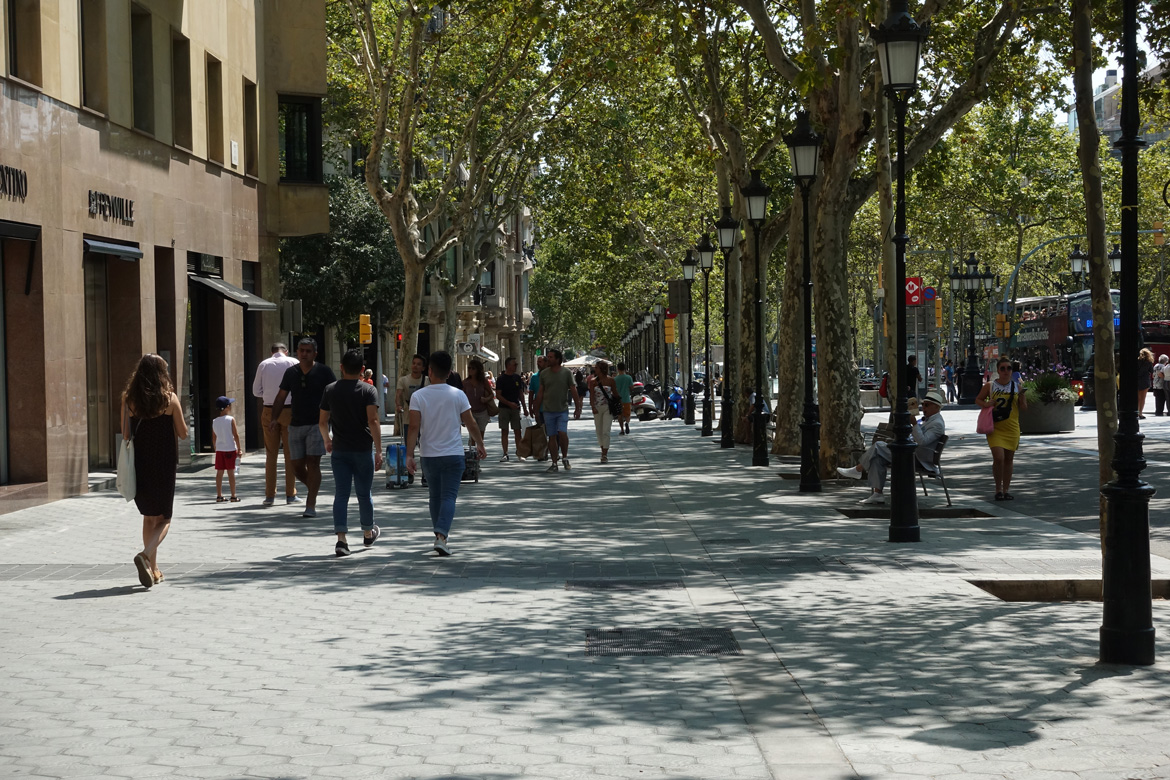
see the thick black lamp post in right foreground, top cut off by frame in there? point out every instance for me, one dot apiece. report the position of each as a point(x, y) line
point(1127, 626)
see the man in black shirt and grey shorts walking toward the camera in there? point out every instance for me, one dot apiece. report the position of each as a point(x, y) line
point(307, 382)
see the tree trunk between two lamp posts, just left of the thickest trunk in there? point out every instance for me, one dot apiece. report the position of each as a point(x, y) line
point(792, 339)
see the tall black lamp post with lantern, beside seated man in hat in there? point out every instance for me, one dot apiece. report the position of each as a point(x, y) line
point(899, 42)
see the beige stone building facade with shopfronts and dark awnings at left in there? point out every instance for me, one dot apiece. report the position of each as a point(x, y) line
point(162, 150)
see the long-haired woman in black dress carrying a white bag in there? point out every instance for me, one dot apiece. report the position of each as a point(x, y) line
point(152, 415)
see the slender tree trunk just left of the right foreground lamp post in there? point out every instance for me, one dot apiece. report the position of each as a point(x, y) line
point(1089, 154)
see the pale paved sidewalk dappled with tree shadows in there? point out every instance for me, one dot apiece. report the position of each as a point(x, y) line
point(264, 657)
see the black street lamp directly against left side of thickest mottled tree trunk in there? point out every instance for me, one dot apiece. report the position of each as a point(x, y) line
point(804, 151)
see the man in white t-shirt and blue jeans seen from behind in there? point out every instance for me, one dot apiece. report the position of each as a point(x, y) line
point(437, 412)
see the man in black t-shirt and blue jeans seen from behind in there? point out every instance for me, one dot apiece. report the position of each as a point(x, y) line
point(352, 406)
